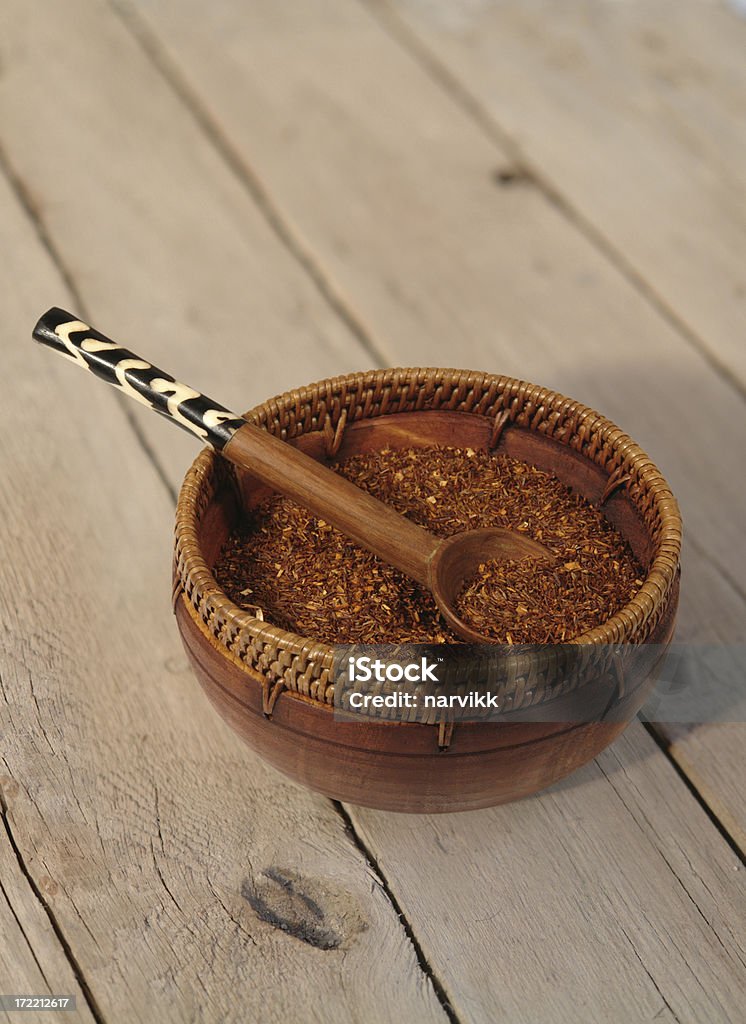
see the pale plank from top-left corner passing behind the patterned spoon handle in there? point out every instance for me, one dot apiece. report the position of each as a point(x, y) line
point(155, 231)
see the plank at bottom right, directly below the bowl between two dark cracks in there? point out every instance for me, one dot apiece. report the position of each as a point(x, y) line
point(596, 902)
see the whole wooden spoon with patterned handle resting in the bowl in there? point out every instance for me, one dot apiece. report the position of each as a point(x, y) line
point(442, 566)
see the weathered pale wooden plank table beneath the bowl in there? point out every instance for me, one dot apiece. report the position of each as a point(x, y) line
point(260, 195)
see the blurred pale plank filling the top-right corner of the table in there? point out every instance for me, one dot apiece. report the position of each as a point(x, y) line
point(634, 116)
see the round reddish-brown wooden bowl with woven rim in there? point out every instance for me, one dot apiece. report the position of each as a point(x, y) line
point(275, 688)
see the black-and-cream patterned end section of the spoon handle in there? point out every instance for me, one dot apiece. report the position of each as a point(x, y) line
point(141, 380)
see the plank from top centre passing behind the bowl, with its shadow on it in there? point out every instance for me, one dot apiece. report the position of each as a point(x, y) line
point(394, 187)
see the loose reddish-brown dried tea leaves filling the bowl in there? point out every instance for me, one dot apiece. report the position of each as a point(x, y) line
point(306, 577)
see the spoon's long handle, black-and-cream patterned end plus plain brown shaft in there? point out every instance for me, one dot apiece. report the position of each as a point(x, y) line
point(362, 518)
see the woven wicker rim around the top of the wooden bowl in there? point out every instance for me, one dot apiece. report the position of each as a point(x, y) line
point(303, 665)
